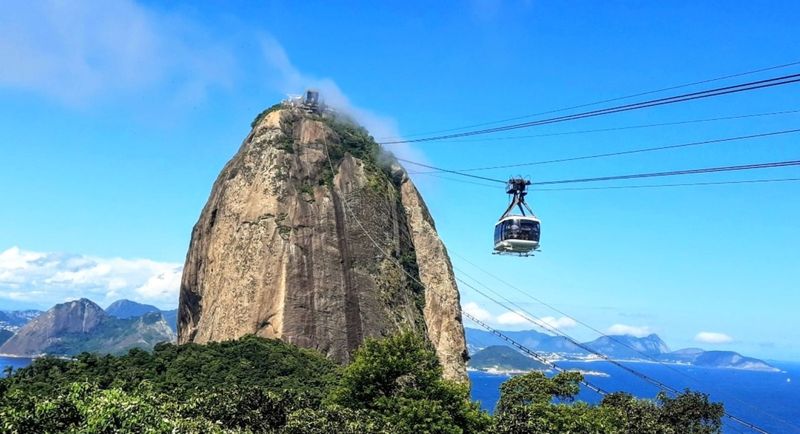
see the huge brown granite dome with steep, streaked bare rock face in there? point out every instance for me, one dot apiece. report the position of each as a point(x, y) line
point(293, 246)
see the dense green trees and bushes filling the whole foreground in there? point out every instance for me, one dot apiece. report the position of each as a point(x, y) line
point(253, 385)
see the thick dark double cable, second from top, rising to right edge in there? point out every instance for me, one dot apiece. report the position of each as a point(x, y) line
point(743, 87)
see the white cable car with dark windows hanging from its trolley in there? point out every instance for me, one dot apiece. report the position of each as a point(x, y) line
point(517, 234)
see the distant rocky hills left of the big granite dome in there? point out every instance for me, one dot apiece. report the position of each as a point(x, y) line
point(81, 325)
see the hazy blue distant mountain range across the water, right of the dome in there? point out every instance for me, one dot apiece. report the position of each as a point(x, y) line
point(619, 347)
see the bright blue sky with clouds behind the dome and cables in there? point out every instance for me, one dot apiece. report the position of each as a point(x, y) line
point(116, 117)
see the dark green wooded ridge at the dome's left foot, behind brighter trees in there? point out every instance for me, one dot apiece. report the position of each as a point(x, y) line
point(185, 369)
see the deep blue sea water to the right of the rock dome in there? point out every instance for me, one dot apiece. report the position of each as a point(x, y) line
point(770, 400)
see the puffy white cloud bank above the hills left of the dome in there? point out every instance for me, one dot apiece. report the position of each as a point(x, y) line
point(47, 278)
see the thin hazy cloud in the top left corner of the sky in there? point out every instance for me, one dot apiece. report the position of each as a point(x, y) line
point(75, 52)
